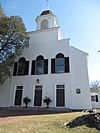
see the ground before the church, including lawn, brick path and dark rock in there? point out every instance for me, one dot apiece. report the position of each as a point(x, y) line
point(16, 120)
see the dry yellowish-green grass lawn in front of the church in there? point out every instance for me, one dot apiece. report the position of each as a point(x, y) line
point(52, 123)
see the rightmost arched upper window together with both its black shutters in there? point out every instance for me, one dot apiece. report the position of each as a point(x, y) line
point(60, 64)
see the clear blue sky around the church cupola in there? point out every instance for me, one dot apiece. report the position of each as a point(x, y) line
point(79, 20)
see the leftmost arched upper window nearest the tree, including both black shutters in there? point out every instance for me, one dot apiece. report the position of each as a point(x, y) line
point(21, 67)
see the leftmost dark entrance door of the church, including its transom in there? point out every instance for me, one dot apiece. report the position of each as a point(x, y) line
point(18, 95)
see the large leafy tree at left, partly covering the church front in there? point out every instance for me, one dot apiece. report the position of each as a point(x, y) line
point(13, 38)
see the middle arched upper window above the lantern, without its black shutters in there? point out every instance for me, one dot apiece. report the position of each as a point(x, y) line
point(40, 65)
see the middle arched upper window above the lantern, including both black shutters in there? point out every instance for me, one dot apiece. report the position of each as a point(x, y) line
point(39, 66)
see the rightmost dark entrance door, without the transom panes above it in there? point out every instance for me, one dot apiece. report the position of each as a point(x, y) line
point(60, 97)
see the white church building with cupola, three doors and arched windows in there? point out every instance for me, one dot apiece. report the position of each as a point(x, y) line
point(49, 67)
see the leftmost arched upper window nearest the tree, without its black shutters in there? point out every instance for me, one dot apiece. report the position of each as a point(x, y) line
point(21, 66)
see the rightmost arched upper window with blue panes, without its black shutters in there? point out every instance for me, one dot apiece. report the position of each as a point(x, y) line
point(59, 63)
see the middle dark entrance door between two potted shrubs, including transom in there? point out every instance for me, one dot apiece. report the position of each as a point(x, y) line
point(38, 96)
